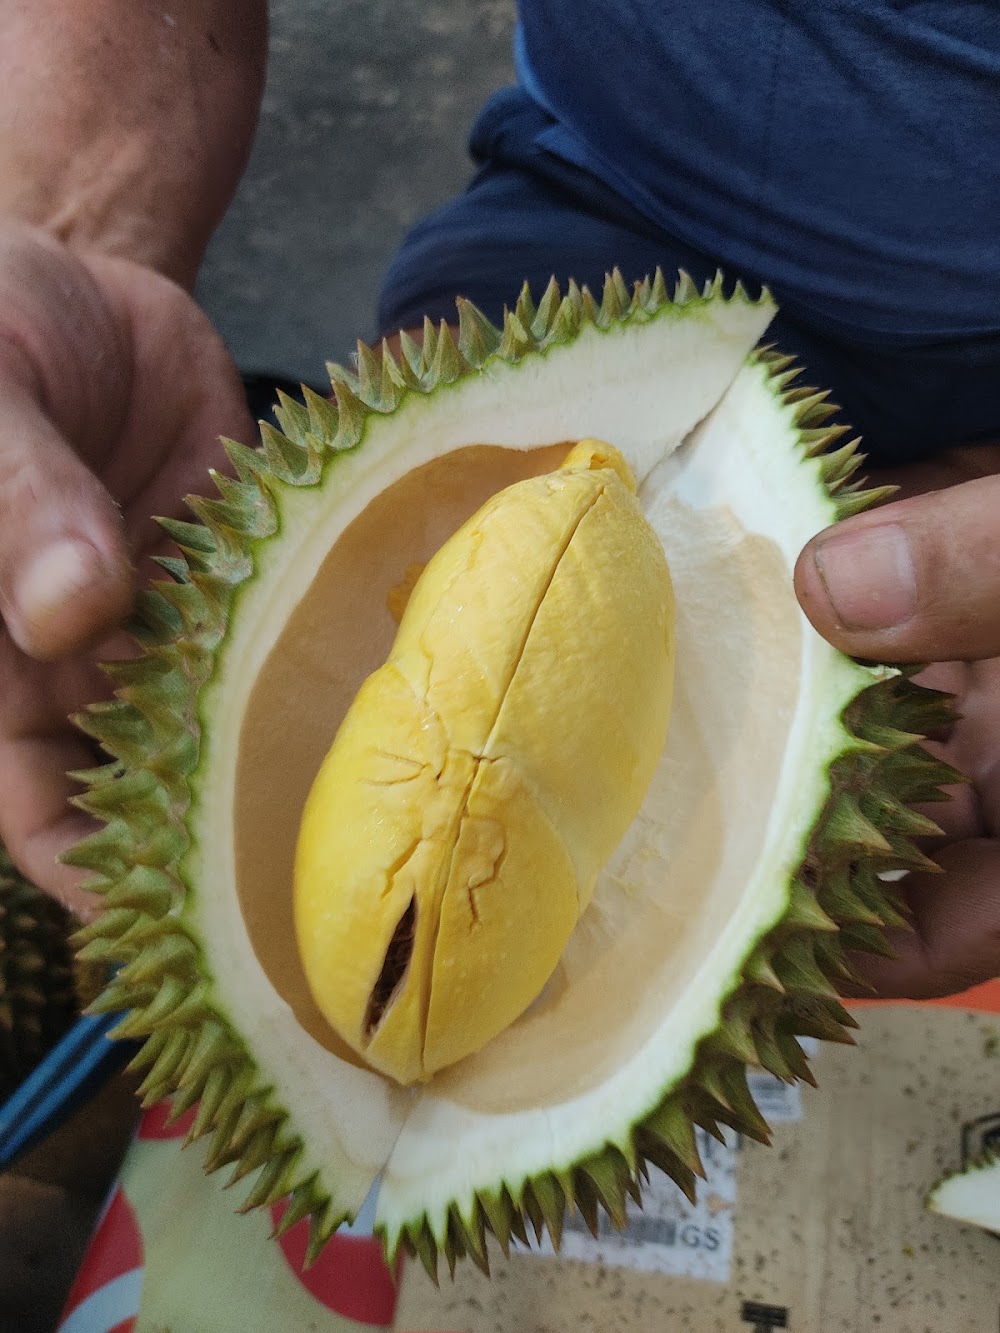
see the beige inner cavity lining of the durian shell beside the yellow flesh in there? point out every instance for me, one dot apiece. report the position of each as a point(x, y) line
point(681, 872)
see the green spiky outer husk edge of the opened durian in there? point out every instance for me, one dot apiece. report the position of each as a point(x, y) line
point(193, 1054)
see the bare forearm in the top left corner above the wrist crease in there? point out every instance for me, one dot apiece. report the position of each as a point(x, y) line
point(126, 125)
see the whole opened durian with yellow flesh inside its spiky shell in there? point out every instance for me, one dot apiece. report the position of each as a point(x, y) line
point(717, 876)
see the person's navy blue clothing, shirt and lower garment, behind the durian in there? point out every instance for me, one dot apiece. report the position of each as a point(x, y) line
point(895, 306)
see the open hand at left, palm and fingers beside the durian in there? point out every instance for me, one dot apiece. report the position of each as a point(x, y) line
point(114, 393)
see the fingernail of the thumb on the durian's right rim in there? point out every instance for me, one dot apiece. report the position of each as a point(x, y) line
point(869, 577)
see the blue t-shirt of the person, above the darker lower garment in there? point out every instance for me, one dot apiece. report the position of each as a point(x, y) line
point(845, 151)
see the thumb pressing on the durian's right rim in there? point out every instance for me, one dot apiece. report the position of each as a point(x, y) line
point(918, 581)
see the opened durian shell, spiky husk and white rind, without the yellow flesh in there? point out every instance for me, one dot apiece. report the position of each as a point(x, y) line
point(717, 931)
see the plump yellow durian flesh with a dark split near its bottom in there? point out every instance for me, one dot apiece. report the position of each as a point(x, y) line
point(486, 774)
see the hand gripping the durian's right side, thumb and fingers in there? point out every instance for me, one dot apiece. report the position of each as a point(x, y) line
point(919, 581)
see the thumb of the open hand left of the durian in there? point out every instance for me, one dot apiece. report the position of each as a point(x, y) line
point(65, 570)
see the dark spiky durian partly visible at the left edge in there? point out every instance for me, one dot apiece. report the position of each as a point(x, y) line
point(41, 986)
